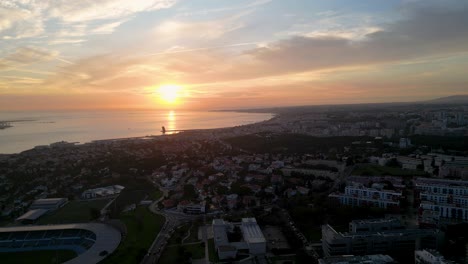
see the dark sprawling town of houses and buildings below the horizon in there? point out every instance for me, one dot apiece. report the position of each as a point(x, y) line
point(344, 184)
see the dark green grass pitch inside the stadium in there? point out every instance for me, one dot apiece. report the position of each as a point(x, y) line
point(37, 257)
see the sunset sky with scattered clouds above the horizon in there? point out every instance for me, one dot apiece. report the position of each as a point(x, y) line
point(229, 54)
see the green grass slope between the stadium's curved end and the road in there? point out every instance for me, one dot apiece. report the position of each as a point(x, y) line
point(142, 228)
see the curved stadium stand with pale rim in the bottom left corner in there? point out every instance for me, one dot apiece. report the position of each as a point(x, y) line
point(91, 242)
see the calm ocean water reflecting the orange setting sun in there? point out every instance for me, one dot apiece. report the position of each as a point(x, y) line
point(31, 129)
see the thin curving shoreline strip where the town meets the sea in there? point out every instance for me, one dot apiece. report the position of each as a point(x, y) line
point(178, 133)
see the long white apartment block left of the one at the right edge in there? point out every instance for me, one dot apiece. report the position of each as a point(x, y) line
point(357, 194)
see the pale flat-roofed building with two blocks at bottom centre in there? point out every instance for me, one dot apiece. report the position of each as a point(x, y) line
point(252, 238)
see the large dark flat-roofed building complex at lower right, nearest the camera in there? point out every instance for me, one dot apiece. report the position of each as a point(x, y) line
point(377, 237)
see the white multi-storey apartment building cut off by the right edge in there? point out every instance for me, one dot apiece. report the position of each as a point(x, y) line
point(443, 198)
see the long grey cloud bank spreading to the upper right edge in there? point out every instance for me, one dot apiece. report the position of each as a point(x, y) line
point(426, 32)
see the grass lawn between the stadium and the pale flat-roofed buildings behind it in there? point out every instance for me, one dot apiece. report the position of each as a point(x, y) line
point(73, 212)
